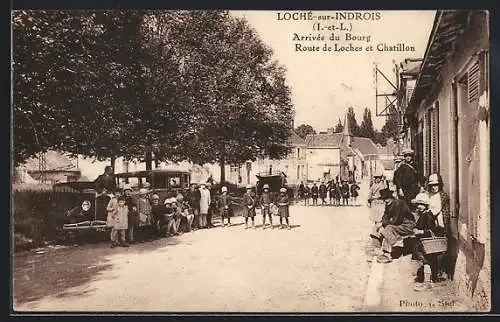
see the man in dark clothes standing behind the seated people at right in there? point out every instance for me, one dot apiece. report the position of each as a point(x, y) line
point(406, 178)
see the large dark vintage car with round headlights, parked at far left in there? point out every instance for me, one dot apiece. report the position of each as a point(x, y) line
point(79, 208)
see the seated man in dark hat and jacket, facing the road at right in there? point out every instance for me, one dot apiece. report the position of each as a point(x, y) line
point(397, 222)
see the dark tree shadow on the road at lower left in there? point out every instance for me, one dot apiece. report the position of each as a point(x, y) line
point(58, 272)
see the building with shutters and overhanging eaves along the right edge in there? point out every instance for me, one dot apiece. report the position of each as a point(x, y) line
point(448, 122)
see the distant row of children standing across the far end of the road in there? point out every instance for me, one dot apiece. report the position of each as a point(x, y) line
point(338, 191)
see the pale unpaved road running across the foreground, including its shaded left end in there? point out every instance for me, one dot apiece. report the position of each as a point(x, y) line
point(318, 265)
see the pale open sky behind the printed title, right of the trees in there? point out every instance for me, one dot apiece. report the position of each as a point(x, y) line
point(324, 84)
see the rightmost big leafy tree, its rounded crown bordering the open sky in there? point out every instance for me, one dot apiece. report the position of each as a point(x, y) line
point(244, 106)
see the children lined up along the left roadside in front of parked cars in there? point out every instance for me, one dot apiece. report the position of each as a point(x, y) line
point(146, 217)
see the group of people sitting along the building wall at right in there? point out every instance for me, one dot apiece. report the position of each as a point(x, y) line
point(399, 228)
